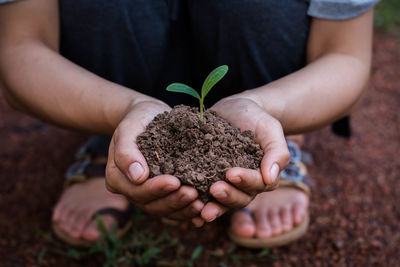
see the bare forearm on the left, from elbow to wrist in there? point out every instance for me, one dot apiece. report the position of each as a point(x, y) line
point(41, 82)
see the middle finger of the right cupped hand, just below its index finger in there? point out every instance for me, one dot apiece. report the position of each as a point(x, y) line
point(229, 196)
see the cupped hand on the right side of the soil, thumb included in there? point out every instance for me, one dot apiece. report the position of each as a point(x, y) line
point(244, 113)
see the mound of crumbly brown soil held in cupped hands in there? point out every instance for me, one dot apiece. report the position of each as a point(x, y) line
point(198, 154)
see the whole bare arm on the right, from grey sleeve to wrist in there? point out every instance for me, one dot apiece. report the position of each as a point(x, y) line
point(339, 56)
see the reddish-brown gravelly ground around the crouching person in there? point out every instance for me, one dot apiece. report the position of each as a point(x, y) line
point(355, 211)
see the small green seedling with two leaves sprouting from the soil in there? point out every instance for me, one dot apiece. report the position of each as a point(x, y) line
point(215, 76)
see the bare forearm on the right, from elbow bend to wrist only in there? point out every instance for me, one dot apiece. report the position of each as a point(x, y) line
point(316, 95)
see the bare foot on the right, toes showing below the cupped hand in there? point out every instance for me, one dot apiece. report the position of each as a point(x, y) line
point(273, 213)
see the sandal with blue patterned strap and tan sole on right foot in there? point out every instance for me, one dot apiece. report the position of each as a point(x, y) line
point(294, 176)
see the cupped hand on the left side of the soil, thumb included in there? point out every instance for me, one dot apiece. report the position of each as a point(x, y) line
point(127, 170)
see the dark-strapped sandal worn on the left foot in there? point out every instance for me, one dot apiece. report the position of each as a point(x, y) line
point(91, 166)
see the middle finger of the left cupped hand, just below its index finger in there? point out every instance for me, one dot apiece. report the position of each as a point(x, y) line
point(175, 201)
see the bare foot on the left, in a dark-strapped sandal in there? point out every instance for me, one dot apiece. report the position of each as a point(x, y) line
point(77, 205)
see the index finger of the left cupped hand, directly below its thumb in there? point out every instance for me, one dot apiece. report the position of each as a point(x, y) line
point(150, 190)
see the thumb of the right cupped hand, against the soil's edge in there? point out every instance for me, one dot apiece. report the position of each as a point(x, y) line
point(269, 135)
